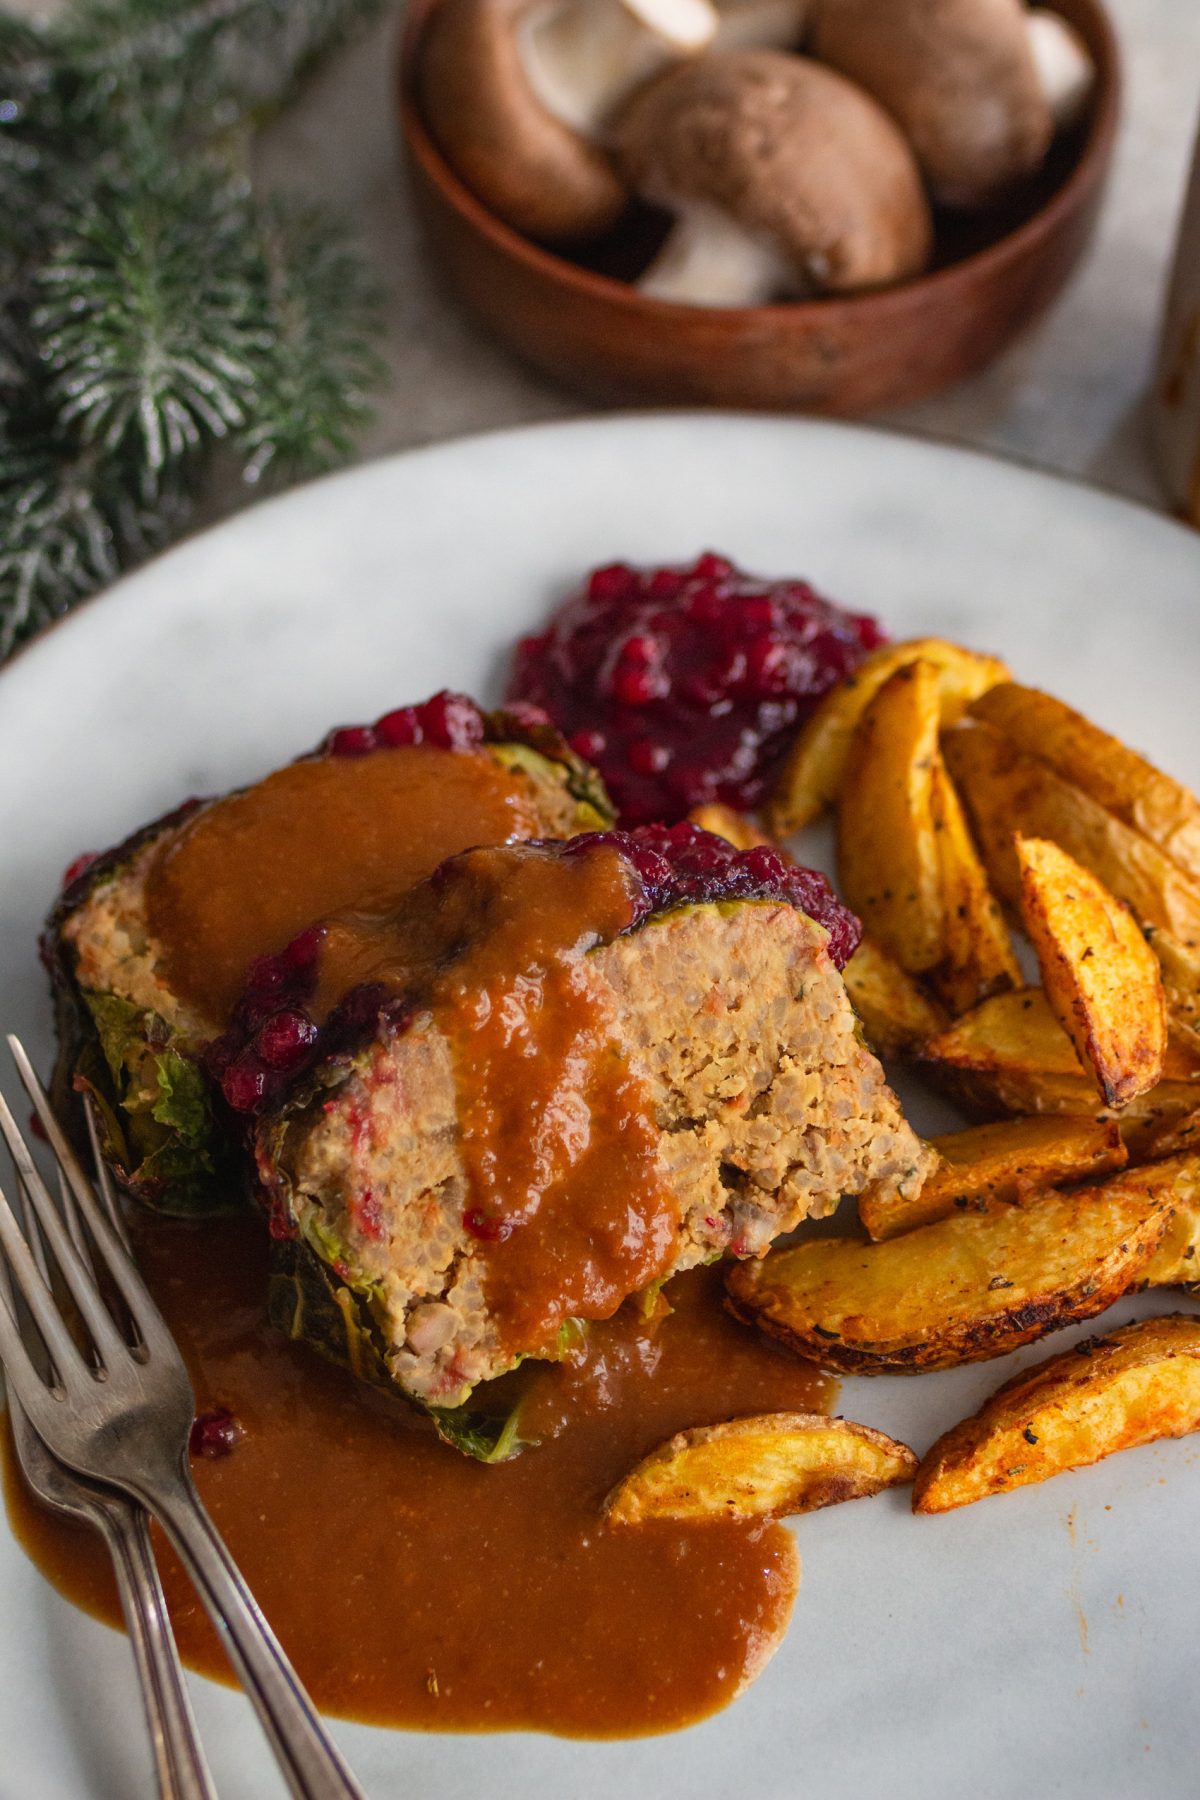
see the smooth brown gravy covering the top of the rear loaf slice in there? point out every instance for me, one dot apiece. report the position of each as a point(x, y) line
point(251, 872)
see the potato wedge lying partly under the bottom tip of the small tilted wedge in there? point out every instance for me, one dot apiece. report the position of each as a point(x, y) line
point(1012, 1056)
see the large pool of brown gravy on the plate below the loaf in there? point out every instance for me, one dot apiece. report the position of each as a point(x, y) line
point(416, 1588)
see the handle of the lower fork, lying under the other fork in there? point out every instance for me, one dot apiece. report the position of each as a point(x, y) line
point(179, 1759)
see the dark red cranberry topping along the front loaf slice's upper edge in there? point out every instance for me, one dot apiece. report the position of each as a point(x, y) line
point(274, 1034)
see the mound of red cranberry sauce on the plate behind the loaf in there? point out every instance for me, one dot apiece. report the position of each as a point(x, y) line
point(686, 685)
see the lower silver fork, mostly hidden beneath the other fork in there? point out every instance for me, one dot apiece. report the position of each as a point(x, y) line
point(181, 1767)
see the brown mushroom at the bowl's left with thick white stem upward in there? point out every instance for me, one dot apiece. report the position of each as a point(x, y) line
point(517, 94)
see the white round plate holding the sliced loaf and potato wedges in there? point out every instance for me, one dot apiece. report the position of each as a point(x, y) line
point(1041, 1644)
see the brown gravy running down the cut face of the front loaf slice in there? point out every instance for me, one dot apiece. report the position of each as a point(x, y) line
point(568, 1205)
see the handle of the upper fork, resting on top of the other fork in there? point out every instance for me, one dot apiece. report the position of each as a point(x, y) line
point(309, 1758)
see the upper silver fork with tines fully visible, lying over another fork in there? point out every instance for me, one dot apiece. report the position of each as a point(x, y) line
point(125, 1419)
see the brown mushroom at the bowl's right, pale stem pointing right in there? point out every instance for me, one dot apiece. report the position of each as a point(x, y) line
point(978, 85)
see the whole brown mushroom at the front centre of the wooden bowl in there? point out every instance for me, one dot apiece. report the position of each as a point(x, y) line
point(784, 179)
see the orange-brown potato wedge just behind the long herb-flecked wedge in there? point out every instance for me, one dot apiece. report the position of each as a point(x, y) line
point(1003, 1162)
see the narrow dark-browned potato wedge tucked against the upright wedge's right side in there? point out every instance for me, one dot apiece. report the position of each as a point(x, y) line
point(978, 951)
